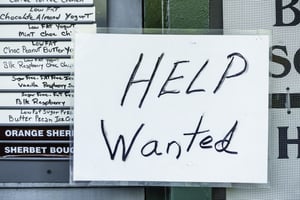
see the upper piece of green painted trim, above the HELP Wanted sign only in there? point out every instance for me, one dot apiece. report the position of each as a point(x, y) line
point(177, 14)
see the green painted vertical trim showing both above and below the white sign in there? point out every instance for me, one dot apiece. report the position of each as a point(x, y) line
point(177, 14)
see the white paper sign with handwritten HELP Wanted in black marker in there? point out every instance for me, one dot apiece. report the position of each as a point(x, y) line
point(171, 108)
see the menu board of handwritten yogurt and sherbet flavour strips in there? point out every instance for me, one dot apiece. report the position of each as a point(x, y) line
point(36, 81)
